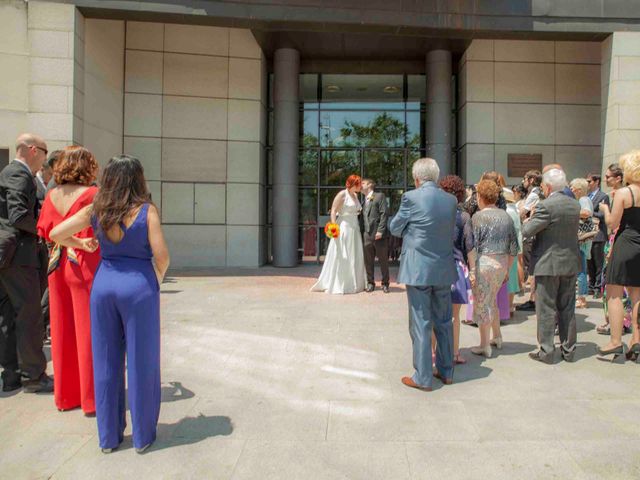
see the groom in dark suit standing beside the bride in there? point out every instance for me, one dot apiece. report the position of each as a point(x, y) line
point(375, 234)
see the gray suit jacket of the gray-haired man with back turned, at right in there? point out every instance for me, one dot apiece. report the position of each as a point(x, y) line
point(555, 227)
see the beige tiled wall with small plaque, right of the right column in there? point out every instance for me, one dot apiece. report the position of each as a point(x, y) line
point(529, 97)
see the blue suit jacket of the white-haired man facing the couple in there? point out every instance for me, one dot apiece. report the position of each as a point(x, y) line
point(426, 221)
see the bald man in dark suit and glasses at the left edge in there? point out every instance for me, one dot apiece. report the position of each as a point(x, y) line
point(21, 326)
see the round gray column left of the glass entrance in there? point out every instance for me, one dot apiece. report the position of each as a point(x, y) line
point(286, 67)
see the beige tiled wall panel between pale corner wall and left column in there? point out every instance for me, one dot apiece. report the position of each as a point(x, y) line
point(194, 113)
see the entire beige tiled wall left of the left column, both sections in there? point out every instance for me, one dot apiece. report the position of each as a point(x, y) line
point(188, 100)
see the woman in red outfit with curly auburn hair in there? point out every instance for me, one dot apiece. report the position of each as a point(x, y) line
point(71, 272)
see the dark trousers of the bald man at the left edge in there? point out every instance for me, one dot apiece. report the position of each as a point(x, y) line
point(21, 327)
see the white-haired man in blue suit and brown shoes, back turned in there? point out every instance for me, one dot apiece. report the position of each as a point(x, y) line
point(426, 221)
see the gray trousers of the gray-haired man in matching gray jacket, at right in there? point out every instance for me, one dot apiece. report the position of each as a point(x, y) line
point(556, 299)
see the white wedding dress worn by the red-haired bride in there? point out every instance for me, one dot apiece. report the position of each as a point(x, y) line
point(343, 270)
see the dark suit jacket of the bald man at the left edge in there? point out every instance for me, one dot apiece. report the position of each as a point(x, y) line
point(18, 207)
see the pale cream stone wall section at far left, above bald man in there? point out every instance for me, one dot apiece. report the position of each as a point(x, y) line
point(41, 50)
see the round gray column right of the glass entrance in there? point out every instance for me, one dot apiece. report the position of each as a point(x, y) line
point(439, 97)
